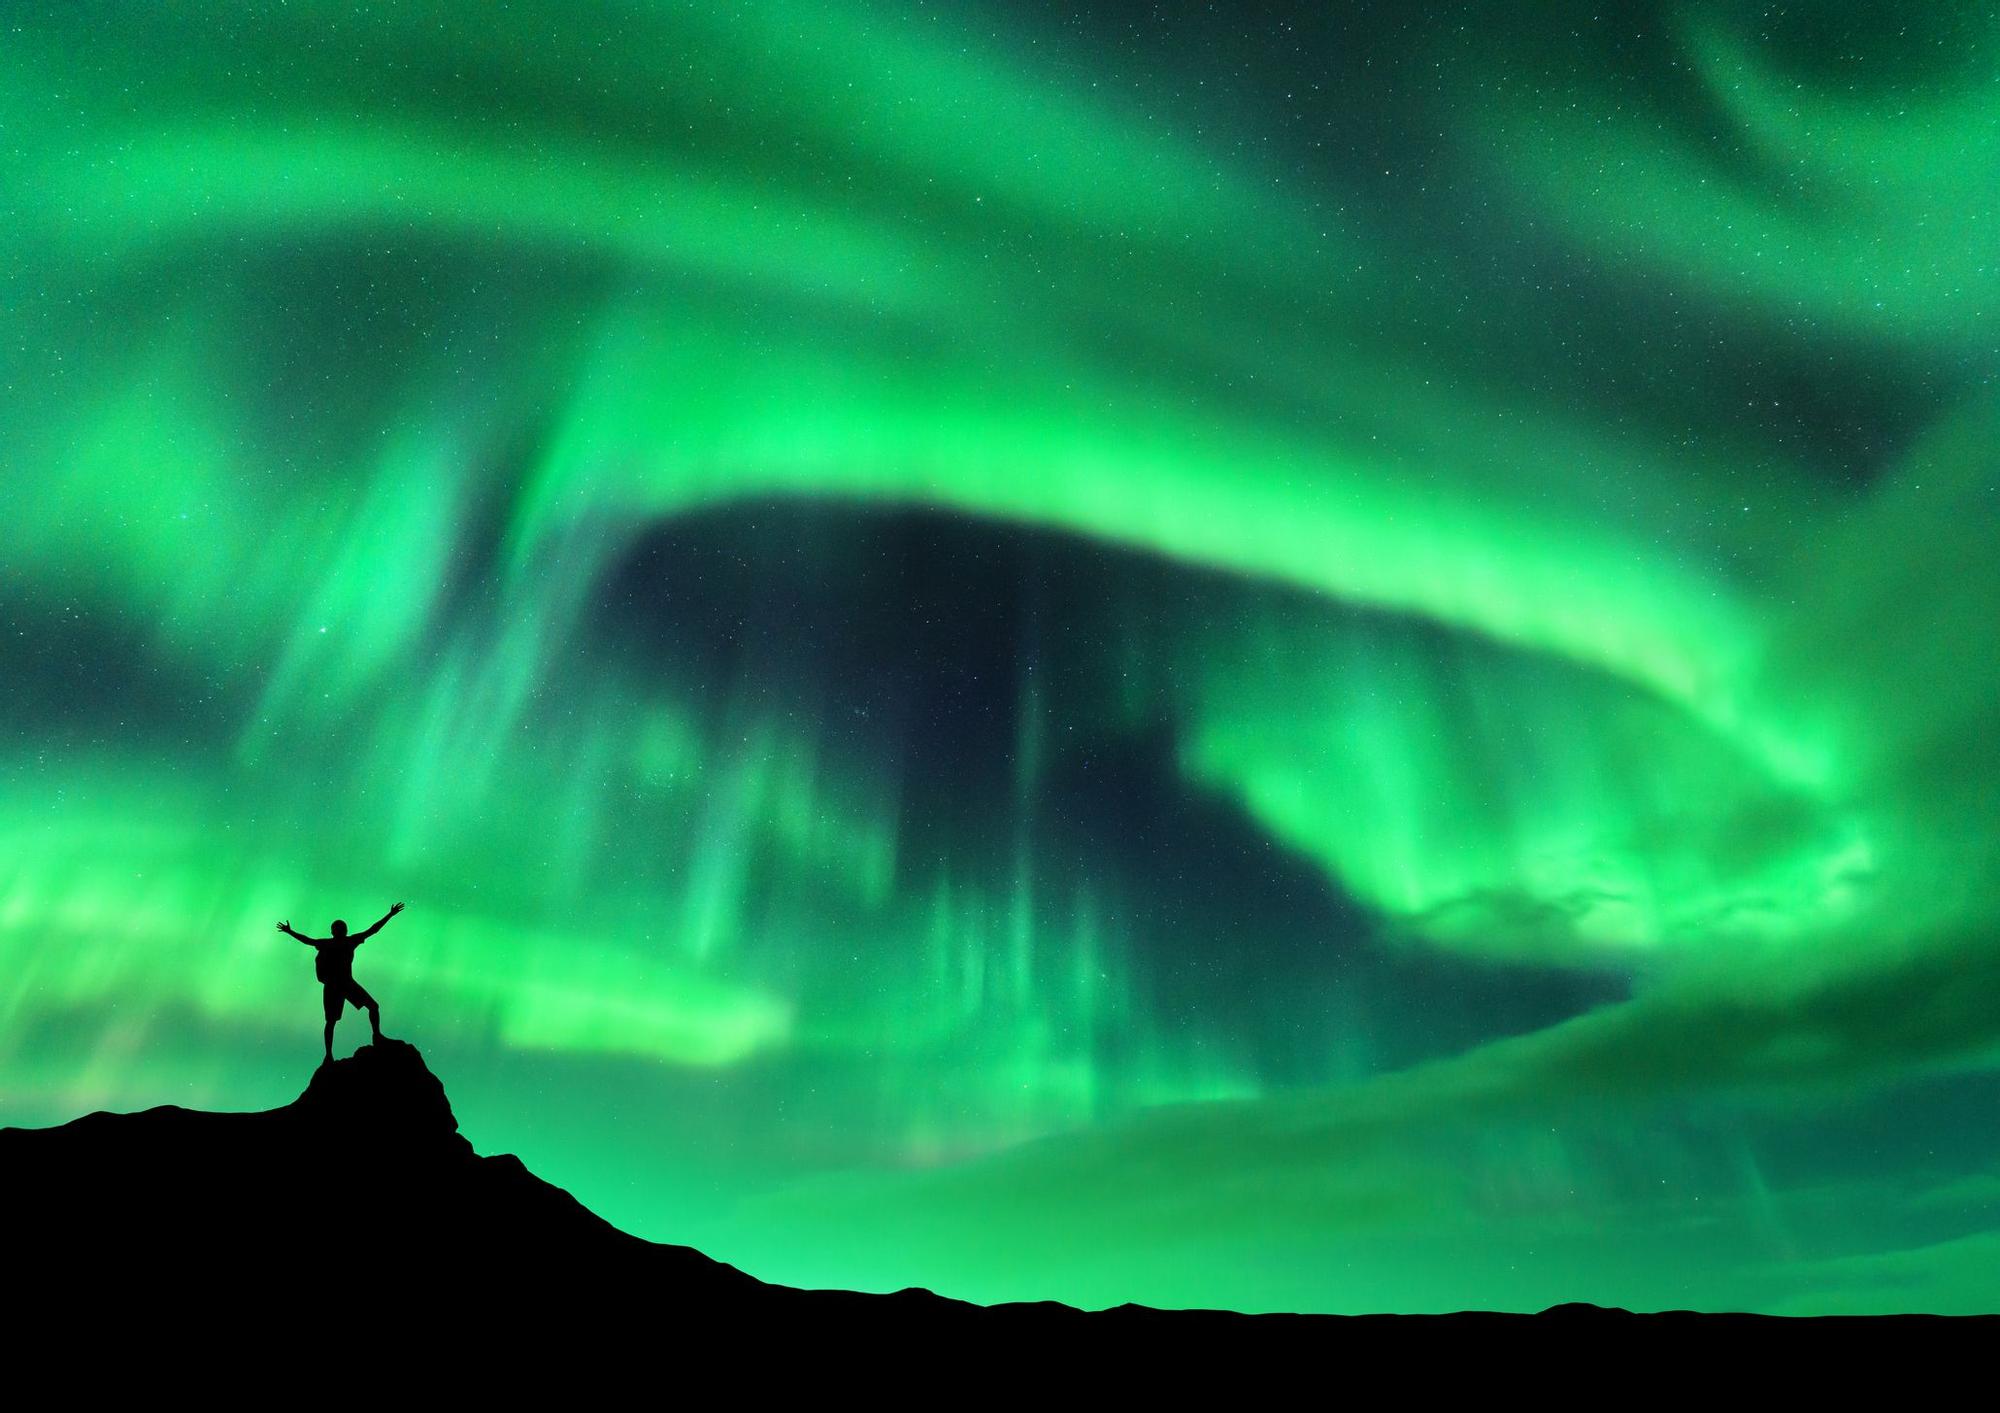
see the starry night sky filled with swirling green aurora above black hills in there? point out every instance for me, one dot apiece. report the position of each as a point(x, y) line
point(1291, 659)
